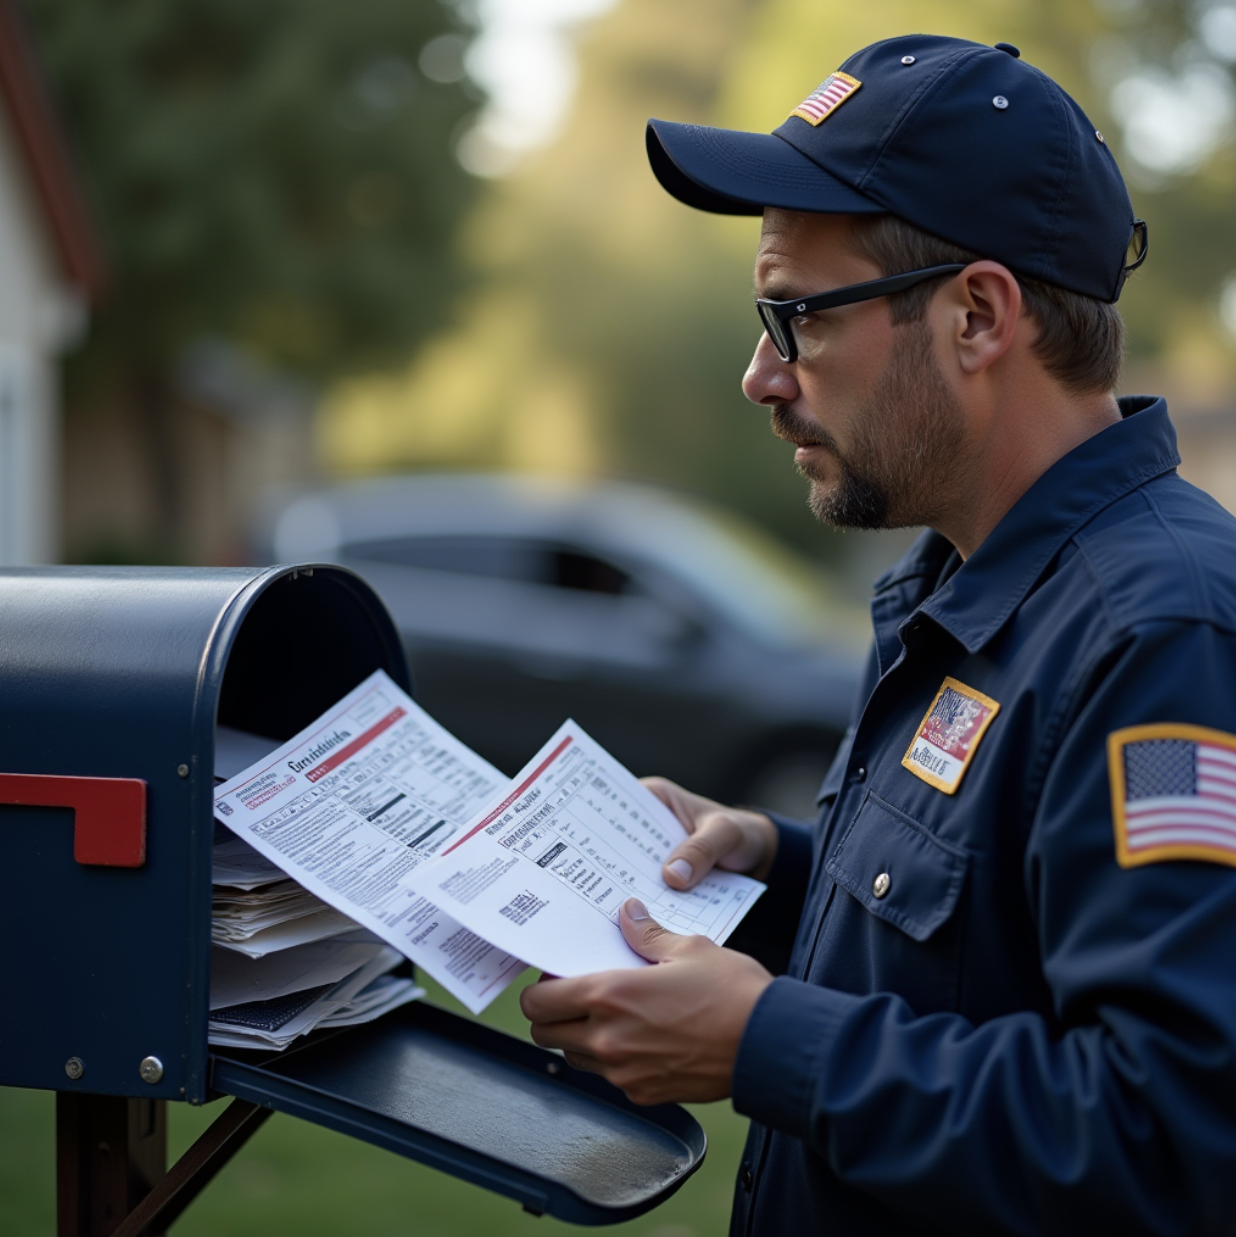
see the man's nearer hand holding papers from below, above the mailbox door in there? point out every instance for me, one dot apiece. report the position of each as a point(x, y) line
point(665, 1034)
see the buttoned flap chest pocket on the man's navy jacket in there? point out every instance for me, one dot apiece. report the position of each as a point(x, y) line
point(900, 930)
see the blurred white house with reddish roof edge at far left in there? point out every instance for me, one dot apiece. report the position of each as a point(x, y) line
point(53, 269)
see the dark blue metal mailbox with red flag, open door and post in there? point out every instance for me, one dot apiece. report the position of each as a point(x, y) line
point(112, 685)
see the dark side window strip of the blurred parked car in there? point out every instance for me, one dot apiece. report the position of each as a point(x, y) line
point(505, 559)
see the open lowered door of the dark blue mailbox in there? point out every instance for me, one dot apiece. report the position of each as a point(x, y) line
point(486, 1108)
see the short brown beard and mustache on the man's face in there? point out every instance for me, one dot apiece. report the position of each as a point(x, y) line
point(908, 445)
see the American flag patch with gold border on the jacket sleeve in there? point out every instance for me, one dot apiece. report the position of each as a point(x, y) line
point(1174, 794)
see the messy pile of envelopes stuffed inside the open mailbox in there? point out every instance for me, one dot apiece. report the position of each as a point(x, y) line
point(285, 963)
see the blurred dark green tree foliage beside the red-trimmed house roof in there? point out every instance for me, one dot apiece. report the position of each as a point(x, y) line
point(275, 174)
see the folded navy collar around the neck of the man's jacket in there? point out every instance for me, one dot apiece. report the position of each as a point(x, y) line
point(974, 603)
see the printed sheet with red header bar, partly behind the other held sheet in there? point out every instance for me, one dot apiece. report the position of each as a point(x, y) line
point(354, 806)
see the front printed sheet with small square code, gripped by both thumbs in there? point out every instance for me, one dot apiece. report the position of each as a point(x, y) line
point(544, 870)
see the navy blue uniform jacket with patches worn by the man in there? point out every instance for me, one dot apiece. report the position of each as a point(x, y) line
point(989, 1024)
